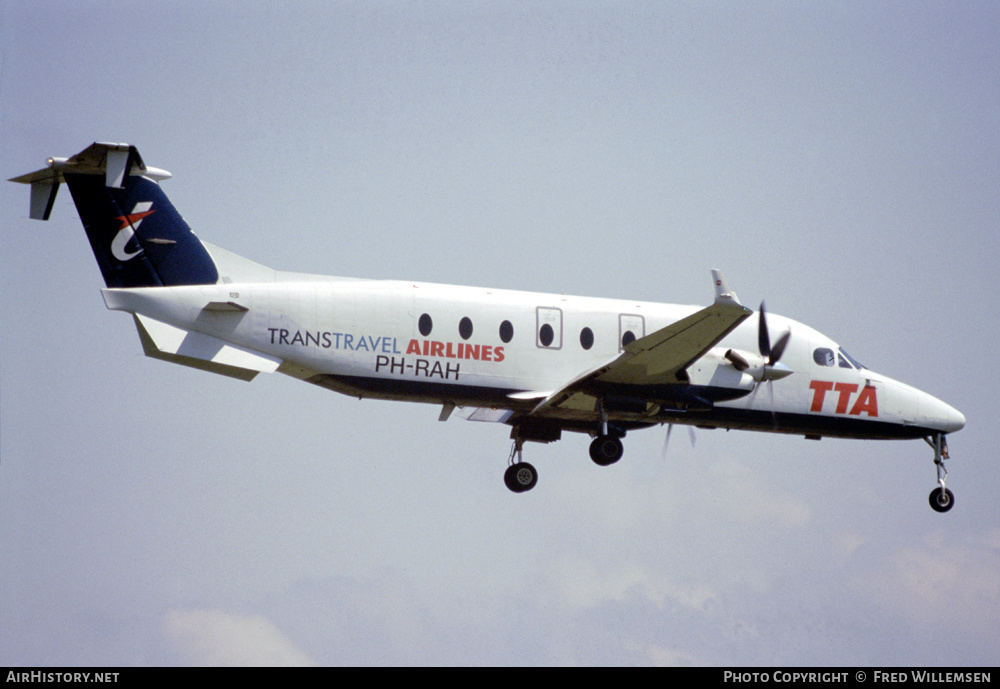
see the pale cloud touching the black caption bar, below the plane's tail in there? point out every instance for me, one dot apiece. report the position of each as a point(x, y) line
point(215, 638)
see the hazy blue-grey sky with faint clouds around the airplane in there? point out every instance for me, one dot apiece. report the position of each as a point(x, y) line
point(838, 159)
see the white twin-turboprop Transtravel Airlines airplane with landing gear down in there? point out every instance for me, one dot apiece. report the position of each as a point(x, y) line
point(540, 363)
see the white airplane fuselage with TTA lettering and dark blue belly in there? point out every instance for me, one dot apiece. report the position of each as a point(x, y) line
point(477, 347)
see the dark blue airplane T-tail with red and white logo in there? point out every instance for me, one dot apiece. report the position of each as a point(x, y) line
point(138, 237)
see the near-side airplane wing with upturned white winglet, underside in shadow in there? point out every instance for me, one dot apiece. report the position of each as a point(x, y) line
point(659, 358)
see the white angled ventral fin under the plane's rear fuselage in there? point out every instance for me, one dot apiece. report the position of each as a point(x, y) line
point(176, 345)
